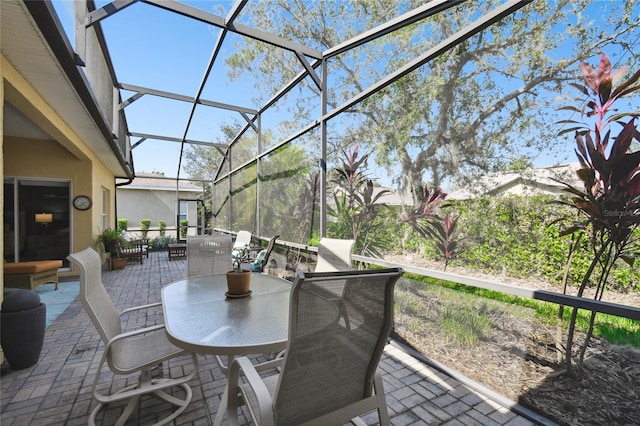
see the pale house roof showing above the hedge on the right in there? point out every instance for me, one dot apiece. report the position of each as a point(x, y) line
point(538, 181)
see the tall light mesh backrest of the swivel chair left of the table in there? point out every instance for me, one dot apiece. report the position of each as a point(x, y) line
point(94, 296)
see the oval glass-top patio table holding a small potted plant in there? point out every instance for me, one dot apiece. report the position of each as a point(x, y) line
point(200, 318)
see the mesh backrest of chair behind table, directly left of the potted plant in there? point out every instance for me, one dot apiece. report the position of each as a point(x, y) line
point(208, 254)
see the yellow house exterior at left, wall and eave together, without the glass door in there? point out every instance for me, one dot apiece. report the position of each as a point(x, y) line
point(52, 128)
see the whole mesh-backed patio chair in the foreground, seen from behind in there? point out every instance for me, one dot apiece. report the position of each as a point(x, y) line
point(328, 375)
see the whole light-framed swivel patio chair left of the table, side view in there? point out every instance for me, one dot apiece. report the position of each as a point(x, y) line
point(141, 351)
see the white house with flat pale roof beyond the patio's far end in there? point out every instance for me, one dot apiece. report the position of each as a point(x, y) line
point(151, 196)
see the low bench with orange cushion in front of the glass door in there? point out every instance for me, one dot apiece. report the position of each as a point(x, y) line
point(29, 275)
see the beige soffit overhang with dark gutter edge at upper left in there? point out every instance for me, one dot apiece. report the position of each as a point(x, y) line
point(46, 61)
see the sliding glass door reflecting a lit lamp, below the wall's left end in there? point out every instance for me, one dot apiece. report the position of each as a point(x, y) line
point(37, 219)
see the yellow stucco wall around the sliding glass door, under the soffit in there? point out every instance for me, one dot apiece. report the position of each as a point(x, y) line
point(64, 157)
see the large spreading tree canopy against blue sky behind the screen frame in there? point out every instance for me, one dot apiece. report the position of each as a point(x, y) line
point(477, 108)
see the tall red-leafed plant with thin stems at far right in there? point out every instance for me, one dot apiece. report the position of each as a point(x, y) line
point(608, 204)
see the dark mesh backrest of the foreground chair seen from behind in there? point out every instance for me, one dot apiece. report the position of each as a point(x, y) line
point(339, 323)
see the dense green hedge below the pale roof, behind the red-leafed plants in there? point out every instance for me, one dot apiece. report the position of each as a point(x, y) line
point(515, 236)
